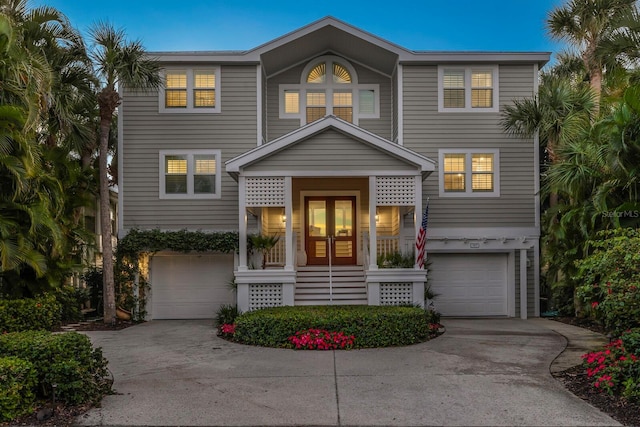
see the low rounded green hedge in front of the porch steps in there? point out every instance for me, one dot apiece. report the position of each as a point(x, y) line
point(372, 326)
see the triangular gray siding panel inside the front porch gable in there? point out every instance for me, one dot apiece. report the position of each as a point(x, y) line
point(330, 150)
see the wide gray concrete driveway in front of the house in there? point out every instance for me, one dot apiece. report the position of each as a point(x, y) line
point(480, 372)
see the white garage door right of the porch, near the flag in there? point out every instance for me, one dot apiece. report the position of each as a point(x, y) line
point(469, 284)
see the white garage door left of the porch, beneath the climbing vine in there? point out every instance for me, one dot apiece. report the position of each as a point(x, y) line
point(190, 286)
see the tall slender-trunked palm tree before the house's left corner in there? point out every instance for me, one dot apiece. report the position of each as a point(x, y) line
point(117, 63)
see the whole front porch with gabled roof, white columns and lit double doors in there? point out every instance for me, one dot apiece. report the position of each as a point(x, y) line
point(335, 196)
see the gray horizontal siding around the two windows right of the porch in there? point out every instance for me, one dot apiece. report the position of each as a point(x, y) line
point(426, 131)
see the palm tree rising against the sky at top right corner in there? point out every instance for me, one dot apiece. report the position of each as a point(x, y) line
point(594, 28)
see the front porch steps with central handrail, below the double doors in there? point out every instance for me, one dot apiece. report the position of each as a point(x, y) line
point(348, 285)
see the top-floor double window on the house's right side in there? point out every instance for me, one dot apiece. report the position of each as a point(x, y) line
point(468, 89)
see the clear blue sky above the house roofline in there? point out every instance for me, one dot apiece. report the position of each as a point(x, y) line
point(500, 25)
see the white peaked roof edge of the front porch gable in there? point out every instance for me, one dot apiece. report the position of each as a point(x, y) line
point(423, 164)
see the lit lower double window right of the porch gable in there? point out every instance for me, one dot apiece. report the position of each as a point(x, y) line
point(469, 173)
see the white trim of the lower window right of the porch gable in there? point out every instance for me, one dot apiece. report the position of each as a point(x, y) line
point(468, 174)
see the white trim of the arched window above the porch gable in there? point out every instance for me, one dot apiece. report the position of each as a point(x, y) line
point(328, 87)
